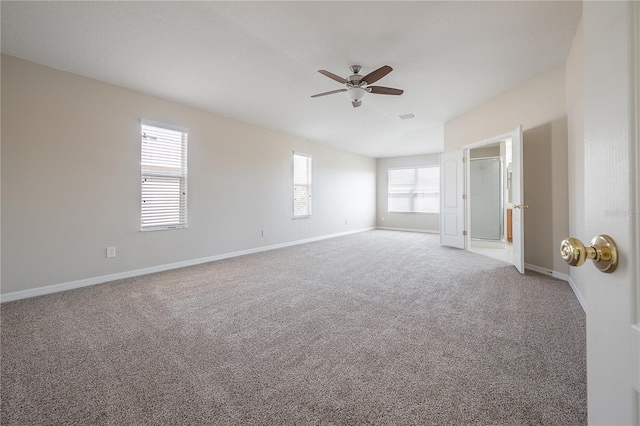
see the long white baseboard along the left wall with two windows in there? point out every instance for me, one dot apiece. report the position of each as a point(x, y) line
point(55, 288)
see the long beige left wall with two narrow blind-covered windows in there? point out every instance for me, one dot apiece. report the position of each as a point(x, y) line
point(71, 182)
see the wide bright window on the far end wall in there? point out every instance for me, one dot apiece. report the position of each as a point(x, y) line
point(414, 190)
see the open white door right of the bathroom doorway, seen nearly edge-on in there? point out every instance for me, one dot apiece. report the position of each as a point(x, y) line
point(517, 188)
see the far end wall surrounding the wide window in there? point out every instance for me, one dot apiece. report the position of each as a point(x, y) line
point(410, 221)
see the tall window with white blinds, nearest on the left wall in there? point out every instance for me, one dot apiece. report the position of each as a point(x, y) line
point(163, 169)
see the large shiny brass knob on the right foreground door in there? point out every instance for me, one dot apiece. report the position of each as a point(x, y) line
point(602, 251)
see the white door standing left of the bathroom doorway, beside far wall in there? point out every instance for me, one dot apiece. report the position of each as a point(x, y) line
point(451, 202)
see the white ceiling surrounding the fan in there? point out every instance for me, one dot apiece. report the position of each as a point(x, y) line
point(258, 61)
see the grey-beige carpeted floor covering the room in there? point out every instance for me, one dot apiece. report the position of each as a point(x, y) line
point(379, 327)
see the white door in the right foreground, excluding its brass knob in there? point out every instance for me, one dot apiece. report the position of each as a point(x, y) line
point(612, 56)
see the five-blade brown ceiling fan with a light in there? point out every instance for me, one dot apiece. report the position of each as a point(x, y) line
point(358, 85)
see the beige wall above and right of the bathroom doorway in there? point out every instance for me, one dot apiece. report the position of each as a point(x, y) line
point(539, 105)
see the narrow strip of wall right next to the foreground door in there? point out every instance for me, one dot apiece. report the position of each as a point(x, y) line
point(575, 118)
